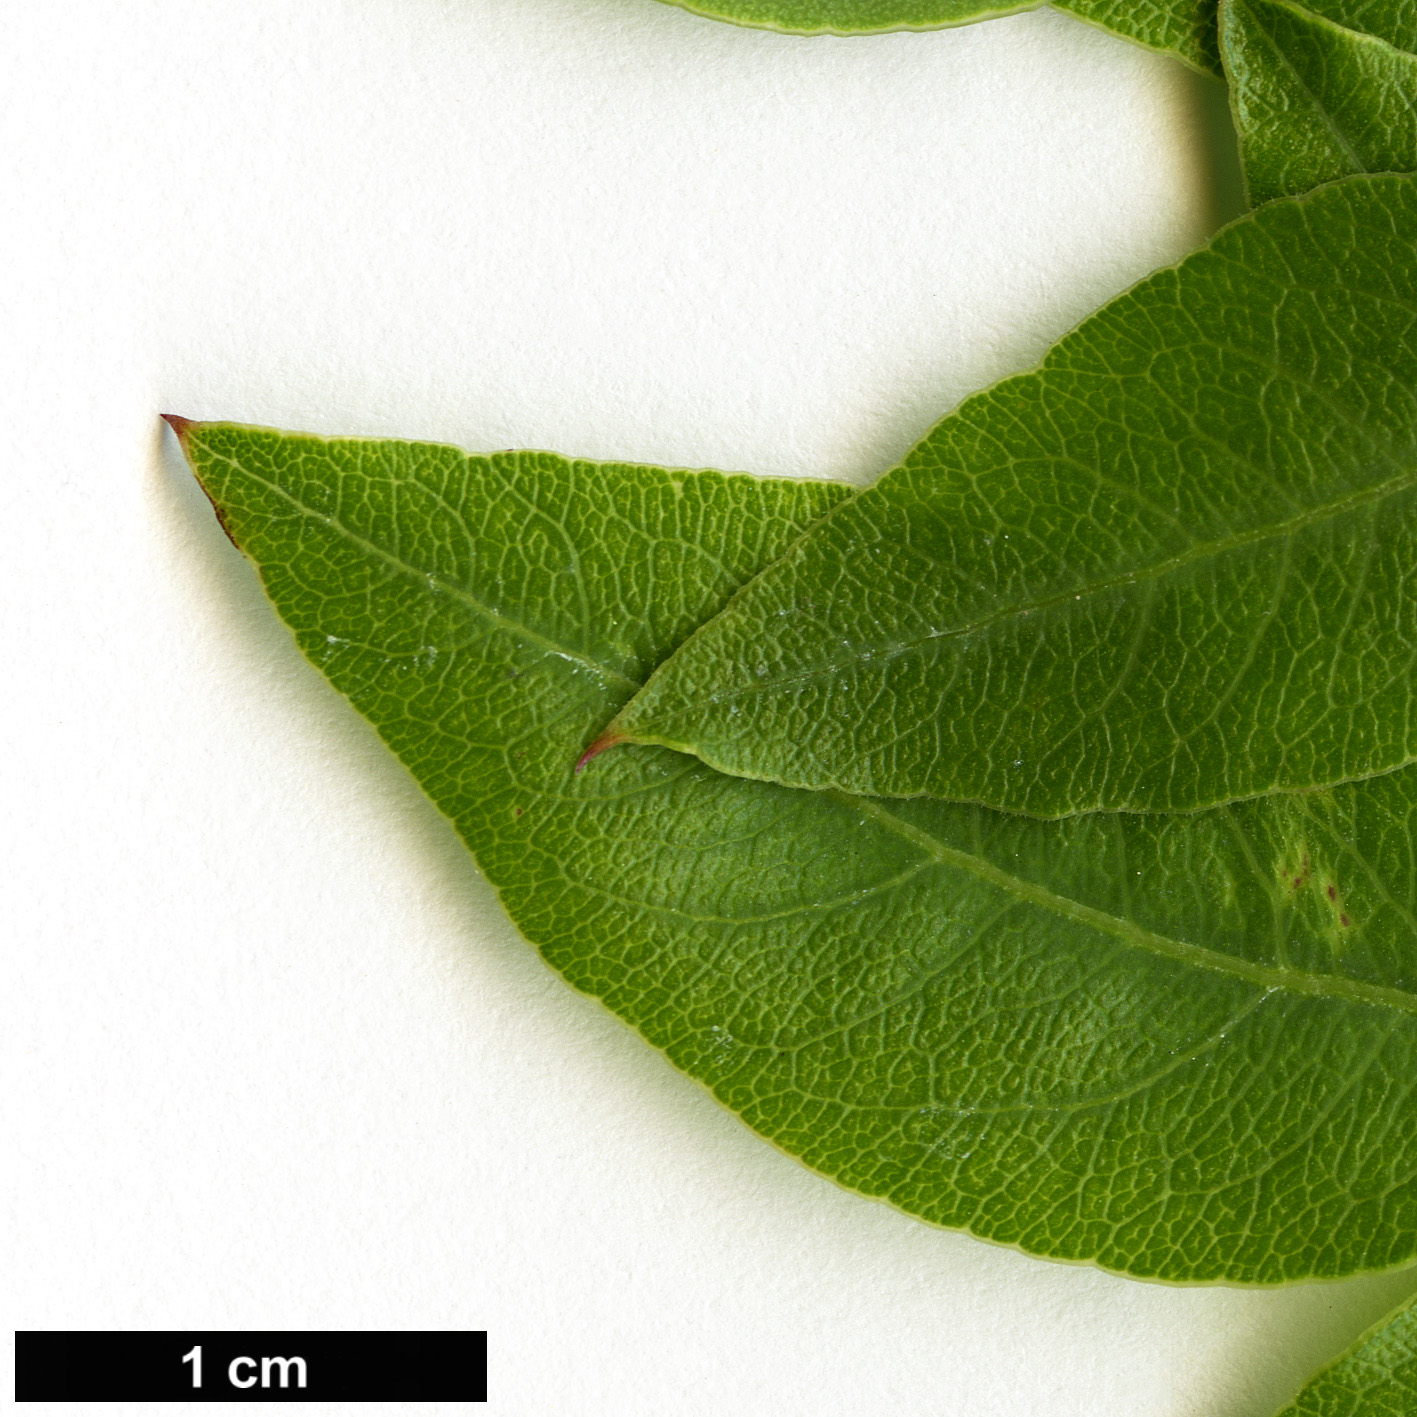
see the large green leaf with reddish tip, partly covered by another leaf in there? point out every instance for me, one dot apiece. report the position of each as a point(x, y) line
point(1182, 1048)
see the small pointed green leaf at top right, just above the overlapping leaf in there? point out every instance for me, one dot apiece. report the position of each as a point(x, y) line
point(1314, 101)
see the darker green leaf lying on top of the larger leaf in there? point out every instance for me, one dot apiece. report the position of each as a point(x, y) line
point(1175, 566)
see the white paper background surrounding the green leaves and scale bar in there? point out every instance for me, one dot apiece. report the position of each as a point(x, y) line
point(274, 1059)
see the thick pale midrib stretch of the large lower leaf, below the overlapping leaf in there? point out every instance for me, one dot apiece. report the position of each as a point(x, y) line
point(1268, 977)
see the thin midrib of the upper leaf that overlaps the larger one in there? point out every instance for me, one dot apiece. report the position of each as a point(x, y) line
point(1137, 577)
